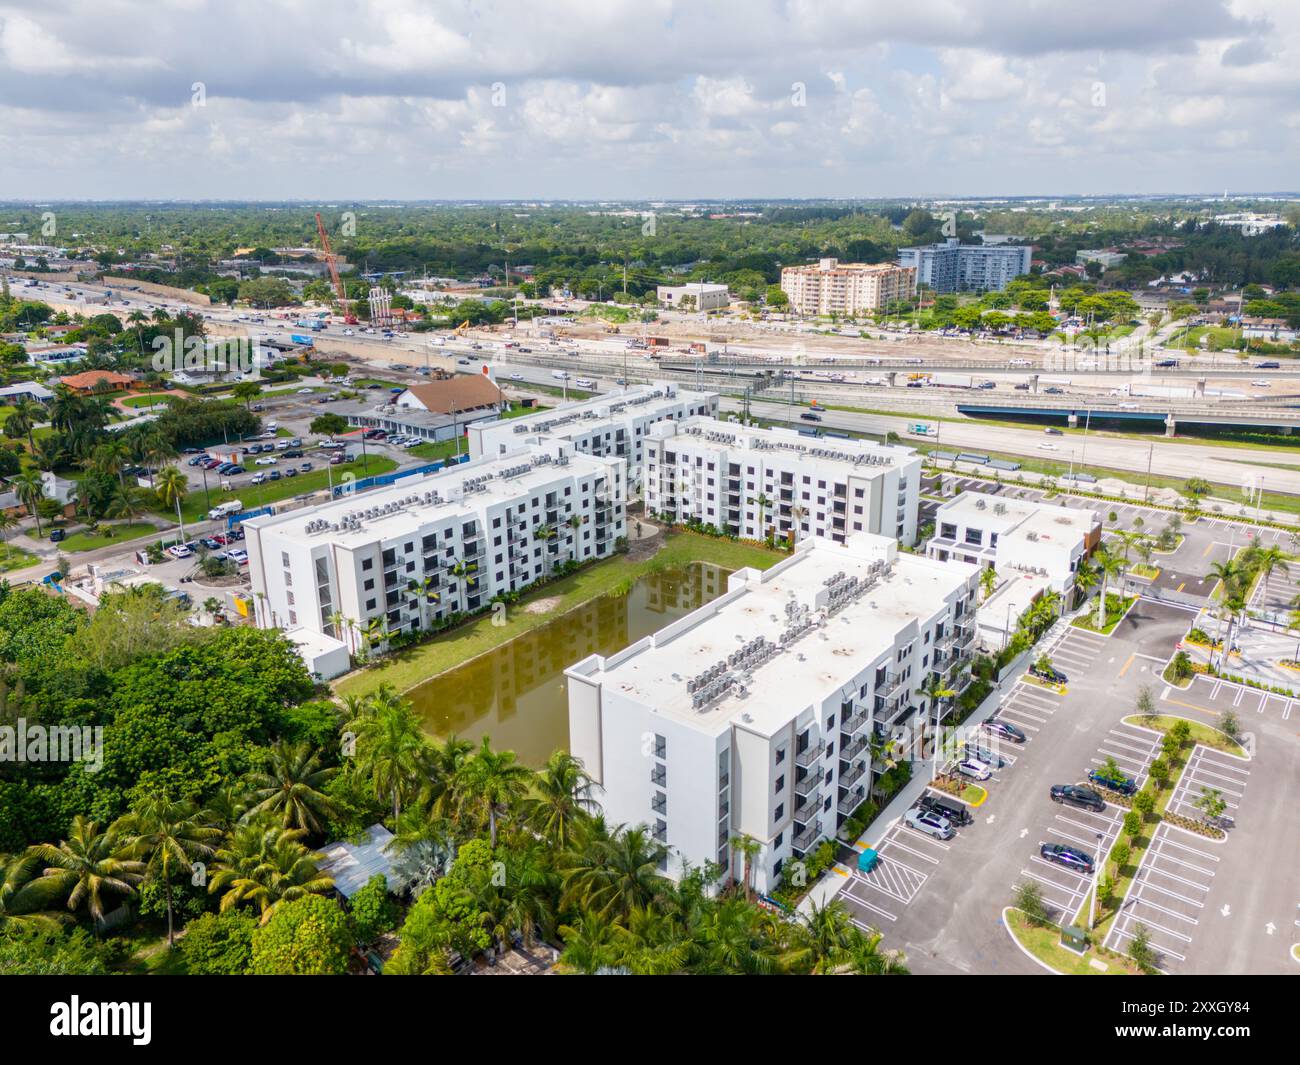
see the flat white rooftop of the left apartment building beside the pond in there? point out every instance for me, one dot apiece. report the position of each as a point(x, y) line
point(393, 512)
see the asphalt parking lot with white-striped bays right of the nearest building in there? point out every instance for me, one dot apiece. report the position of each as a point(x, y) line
point(941, 901)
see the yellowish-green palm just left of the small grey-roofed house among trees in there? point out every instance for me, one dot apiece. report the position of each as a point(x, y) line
point(266, 865)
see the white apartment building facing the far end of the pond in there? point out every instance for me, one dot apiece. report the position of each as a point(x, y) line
point(759, 482)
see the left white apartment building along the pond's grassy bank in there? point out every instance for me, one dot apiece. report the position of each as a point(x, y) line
point(405, 557)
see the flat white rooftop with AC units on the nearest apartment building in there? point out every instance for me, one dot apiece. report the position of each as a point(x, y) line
point(782, 640)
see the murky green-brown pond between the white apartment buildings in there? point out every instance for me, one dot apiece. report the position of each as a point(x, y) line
point(518, 696)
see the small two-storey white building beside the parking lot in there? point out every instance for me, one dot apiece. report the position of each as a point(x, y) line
point(1016, 536)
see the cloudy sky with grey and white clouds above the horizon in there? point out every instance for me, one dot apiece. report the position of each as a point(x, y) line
point(675, 99)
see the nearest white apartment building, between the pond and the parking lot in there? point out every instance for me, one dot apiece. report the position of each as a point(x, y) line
point(755, 716)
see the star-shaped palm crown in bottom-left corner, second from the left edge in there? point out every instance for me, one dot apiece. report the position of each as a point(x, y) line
point(92, 867)
